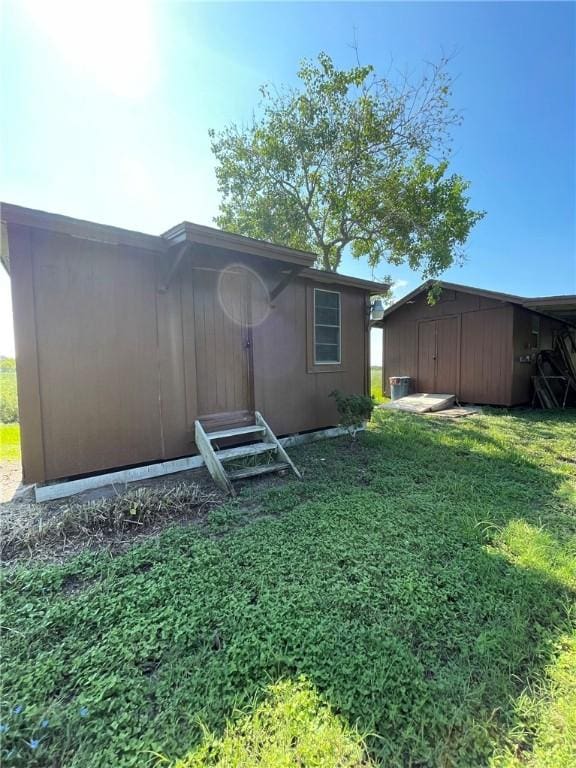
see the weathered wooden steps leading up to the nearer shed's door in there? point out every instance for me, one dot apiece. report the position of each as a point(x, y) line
point(217, 460)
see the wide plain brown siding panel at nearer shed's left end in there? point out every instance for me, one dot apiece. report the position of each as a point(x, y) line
point(97, 354)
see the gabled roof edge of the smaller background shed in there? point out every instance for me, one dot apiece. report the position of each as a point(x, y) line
point(559, 307)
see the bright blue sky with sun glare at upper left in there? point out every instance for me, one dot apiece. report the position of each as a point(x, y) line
point(105, 108)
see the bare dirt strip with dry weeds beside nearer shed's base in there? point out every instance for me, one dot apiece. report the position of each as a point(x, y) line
point(55, 531)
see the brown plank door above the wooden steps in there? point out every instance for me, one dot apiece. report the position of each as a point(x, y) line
point(223, 339)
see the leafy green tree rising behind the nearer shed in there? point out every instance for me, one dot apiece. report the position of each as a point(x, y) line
point(349, 159)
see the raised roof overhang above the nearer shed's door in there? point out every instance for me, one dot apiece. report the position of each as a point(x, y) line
point(217, 238)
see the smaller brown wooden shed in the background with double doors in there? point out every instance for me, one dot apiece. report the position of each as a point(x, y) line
point(479, 345)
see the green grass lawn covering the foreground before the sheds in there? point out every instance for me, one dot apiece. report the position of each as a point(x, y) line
point(410, 603)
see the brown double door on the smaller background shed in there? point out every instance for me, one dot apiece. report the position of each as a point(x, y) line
point(438, 342)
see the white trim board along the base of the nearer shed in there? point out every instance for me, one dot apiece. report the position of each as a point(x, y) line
point(60, 490)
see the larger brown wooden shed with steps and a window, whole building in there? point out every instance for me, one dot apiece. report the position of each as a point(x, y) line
point(124, 339)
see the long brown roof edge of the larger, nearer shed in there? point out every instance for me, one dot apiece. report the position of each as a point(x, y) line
point(302, 261)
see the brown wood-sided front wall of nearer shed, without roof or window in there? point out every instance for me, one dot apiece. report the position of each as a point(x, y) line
point(113, 373)
